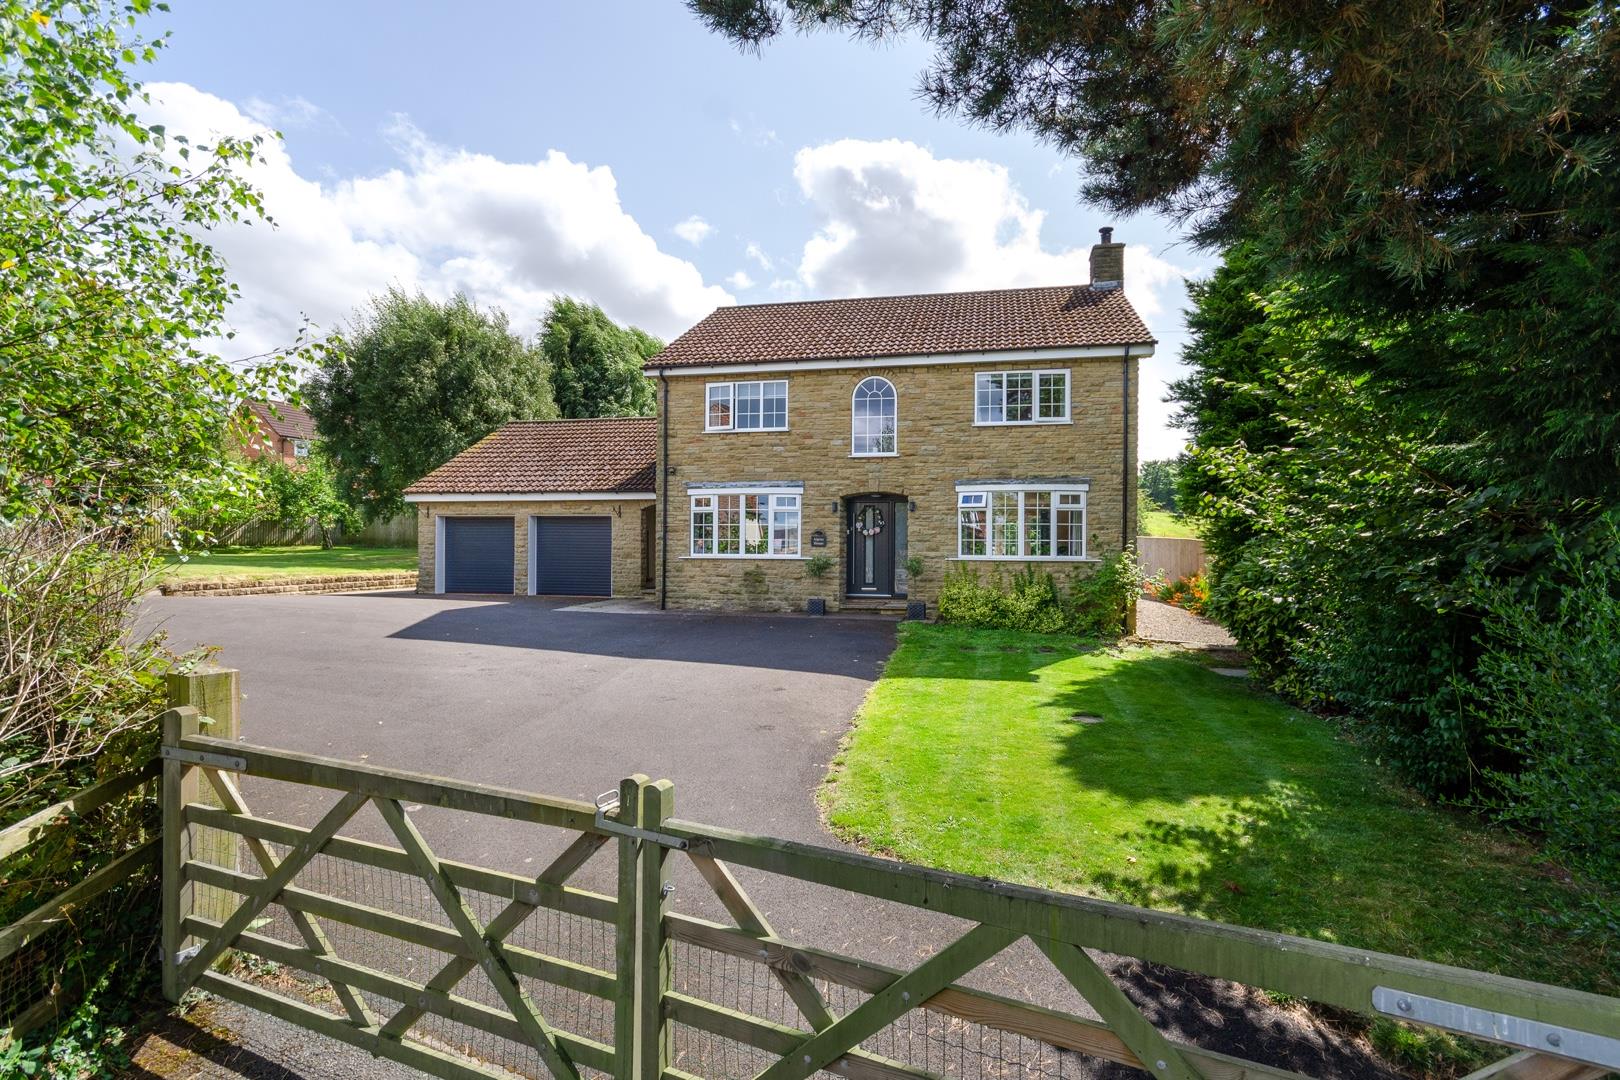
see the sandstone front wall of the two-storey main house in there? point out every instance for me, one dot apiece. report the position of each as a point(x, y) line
point(939, 446)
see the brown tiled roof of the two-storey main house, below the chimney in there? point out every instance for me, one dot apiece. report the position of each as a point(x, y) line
point(910, 326)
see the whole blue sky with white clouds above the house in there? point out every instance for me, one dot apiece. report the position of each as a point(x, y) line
point(620, 153)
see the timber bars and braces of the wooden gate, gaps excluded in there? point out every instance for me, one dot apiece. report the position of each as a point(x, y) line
point(1554, 1032)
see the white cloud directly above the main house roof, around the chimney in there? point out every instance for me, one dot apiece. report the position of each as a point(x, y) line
point(897, 219)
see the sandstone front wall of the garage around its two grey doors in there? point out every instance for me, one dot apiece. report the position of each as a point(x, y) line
point(625, 517)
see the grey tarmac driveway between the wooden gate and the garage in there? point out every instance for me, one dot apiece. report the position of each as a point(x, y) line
point(550, 697)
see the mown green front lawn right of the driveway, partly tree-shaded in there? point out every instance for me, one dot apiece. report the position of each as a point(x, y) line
point(1195, 793)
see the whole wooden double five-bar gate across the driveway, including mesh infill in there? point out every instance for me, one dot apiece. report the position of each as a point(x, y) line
point(464, 971)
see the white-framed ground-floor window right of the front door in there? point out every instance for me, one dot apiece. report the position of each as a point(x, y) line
point(1021, 524)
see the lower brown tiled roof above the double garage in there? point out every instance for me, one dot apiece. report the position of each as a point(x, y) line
point(534, 457)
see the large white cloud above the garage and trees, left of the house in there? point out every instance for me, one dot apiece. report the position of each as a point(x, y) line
point(508, 234)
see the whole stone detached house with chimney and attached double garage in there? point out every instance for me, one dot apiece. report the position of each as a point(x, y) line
point(898, 436)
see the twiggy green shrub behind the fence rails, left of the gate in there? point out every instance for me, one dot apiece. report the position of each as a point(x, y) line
point(82, 702)
